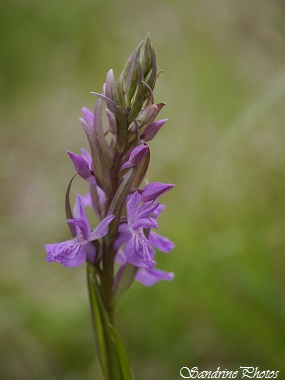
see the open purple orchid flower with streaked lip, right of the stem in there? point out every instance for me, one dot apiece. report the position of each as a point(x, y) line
point(139, 248)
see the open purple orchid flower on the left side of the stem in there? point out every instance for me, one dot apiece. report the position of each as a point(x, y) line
point(72, 253)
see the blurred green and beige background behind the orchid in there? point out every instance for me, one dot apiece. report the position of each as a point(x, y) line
point(223, 147)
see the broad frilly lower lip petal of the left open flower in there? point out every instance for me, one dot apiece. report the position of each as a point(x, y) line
point(69, 253)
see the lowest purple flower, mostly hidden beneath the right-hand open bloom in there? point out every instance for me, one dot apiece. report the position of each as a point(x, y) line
point(145, 276)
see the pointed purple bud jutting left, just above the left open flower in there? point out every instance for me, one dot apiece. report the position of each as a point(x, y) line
point(83, 165)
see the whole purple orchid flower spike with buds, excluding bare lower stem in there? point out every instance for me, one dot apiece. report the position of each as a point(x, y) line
point(114, 170)
